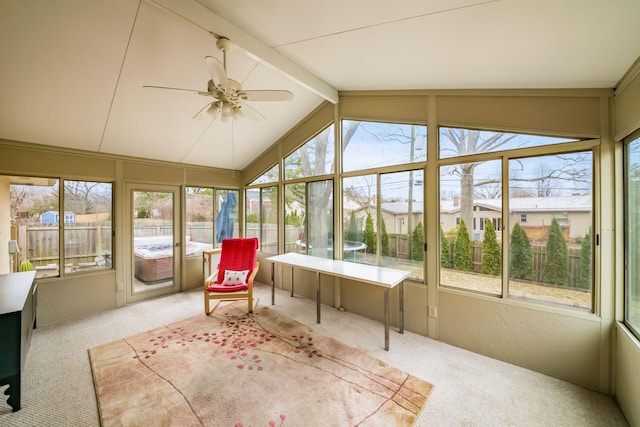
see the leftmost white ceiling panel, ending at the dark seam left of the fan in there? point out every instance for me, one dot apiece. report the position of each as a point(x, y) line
point(60, 64)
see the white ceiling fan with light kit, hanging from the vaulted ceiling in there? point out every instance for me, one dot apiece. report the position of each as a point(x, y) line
point(229, 100)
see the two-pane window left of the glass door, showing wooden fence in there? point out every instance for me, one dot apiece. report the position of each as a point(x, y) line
point(37, 224)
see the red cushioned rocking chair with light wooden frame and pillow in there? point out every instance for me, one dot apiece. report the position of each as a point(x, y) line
point(239, 266)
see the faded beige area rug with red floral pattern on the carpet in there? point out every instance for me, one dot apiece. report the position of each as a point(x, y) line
point(236, 369)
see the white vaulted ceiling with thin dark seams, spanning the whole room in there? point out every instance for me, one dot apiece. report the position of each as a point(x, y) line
point(72, 71)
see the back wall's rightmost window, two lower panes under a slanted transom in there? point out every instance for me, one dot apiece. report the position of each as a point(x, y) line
point(550, 217)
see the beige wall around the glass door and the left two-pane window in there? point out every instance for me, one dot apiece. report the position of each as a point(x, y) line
point(71, 296)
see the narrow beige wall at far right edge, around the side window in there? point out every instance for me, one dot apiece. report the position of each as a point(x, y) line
point(627, 347)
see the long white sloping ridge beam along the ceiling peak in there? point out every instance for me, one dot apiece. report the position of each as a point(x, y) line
point(211, 22)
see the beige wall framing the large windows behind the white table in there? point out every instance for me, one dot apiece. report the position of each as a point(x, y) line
point(562, 342)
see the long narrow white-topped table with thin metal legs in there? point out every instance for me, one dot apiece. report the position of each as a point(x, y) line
point(379, 276)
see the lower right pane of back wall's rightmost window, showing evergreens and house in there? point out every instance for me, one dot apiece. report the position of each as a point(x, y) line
point(551, 255)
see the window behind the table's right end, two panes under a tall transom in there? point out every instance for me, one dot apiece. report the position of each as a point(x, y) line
point(383, 206)
